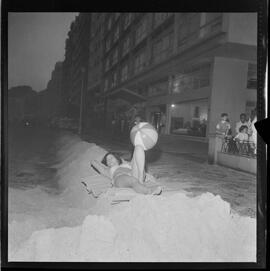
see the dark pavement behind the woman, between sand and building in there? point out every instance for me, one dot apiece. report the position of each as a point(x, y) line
point(183, 166)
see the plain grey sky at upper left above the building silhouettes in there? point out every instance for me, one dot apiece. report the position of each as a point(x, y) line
point(36, 41)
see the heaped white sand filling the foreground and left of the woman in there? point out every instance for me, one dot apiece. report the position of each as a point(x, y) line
point(170, 227)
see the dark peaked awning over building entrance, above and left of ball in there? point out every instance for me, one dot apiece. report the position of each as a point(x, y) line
point(127, 95)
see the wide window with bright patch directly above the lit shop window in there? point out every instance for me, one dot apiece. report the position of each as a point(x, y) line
point(194, 78)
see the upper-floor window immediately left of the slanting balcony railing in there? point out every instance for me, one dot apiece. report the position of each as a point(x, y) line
point(162, 48)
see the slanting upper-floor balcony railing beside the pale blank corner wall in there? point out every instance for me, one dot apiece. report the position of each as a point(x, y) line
point(211, 28)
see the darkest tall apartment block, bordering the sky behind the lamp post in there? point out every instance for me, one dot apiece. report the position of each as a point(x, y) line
point(75, 65)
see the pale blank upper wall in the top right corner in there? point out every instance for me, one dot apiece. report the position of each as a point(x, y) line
point(242, 28)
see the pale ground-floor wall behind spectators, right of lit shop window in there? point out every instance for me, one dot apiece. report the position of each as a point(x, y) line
point(228, 93)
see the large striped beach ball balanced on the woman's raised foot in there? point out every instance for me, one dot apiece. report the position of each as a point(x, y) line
point(144, 134)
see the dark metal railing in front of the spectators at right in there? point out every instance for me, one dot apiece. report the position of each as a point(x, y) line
point(244, 148)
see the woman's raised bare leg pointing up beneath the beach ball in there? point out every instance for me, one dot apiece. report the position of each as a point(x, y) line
point(138, 163)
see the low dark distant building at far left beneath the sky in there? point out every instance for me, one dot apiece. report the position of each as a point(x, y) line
point(22, 102)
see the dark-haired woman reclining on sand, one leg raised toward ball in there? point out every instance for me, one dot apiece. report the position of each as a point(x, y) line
point(124, 174)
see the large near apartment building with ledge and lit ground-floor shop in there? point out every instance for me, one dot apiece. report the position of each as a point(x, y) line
point(190, 66)
